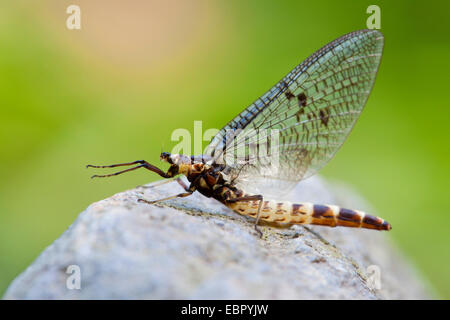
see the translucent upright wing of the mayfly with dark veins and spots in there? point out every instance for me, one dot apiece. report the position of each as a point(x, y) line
point(295, 128)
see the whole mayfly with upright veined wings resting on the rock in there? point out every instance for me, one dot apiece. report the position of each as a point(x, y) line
point(287, 135)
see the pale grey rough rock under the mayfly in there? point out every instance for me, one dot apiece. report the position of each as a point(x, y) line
point(196, 248)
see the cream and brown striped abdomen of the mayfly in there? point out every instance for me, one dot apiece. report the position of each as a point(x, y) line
point(308, 213)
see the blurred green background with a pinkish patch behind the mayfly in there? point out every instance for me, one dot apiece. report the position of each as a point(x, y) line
point(116, 89)
